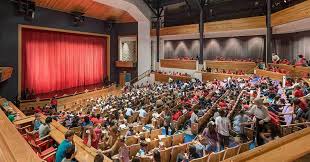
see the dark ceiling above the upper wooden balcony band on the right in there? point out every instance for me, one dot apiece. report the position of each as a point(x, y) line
point(181, 12)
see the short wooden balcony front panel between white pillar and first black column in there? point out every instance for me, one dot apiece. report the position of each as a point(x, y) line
point(178, 64)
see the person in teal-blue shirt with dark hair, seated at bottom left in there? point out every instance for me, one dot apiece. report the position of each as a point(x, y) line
point(64, 145)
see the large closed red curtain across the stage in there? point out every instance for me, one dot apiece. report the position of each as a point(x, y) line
point(54, 61)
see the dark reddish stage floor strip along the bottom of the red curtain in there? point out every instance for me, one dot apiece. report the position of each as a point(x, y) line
point(69, 91)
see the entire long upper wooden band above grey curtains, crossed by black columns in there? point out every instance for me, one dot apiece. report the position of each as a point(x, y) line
point(294, 13)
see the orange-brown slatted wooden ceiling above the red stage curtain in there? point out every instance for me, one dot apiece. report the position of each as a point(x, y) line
point(89, 7)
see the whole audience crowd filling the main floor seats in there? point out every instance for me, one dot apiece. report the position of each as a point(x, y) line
point(263, 105)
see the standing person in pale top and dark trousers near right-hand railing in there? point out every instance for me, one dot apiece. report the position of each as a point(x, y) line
point(262, 118)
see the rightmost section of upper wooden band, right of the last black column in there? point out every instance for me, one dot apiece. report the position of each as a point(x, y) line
point(294, 13)
